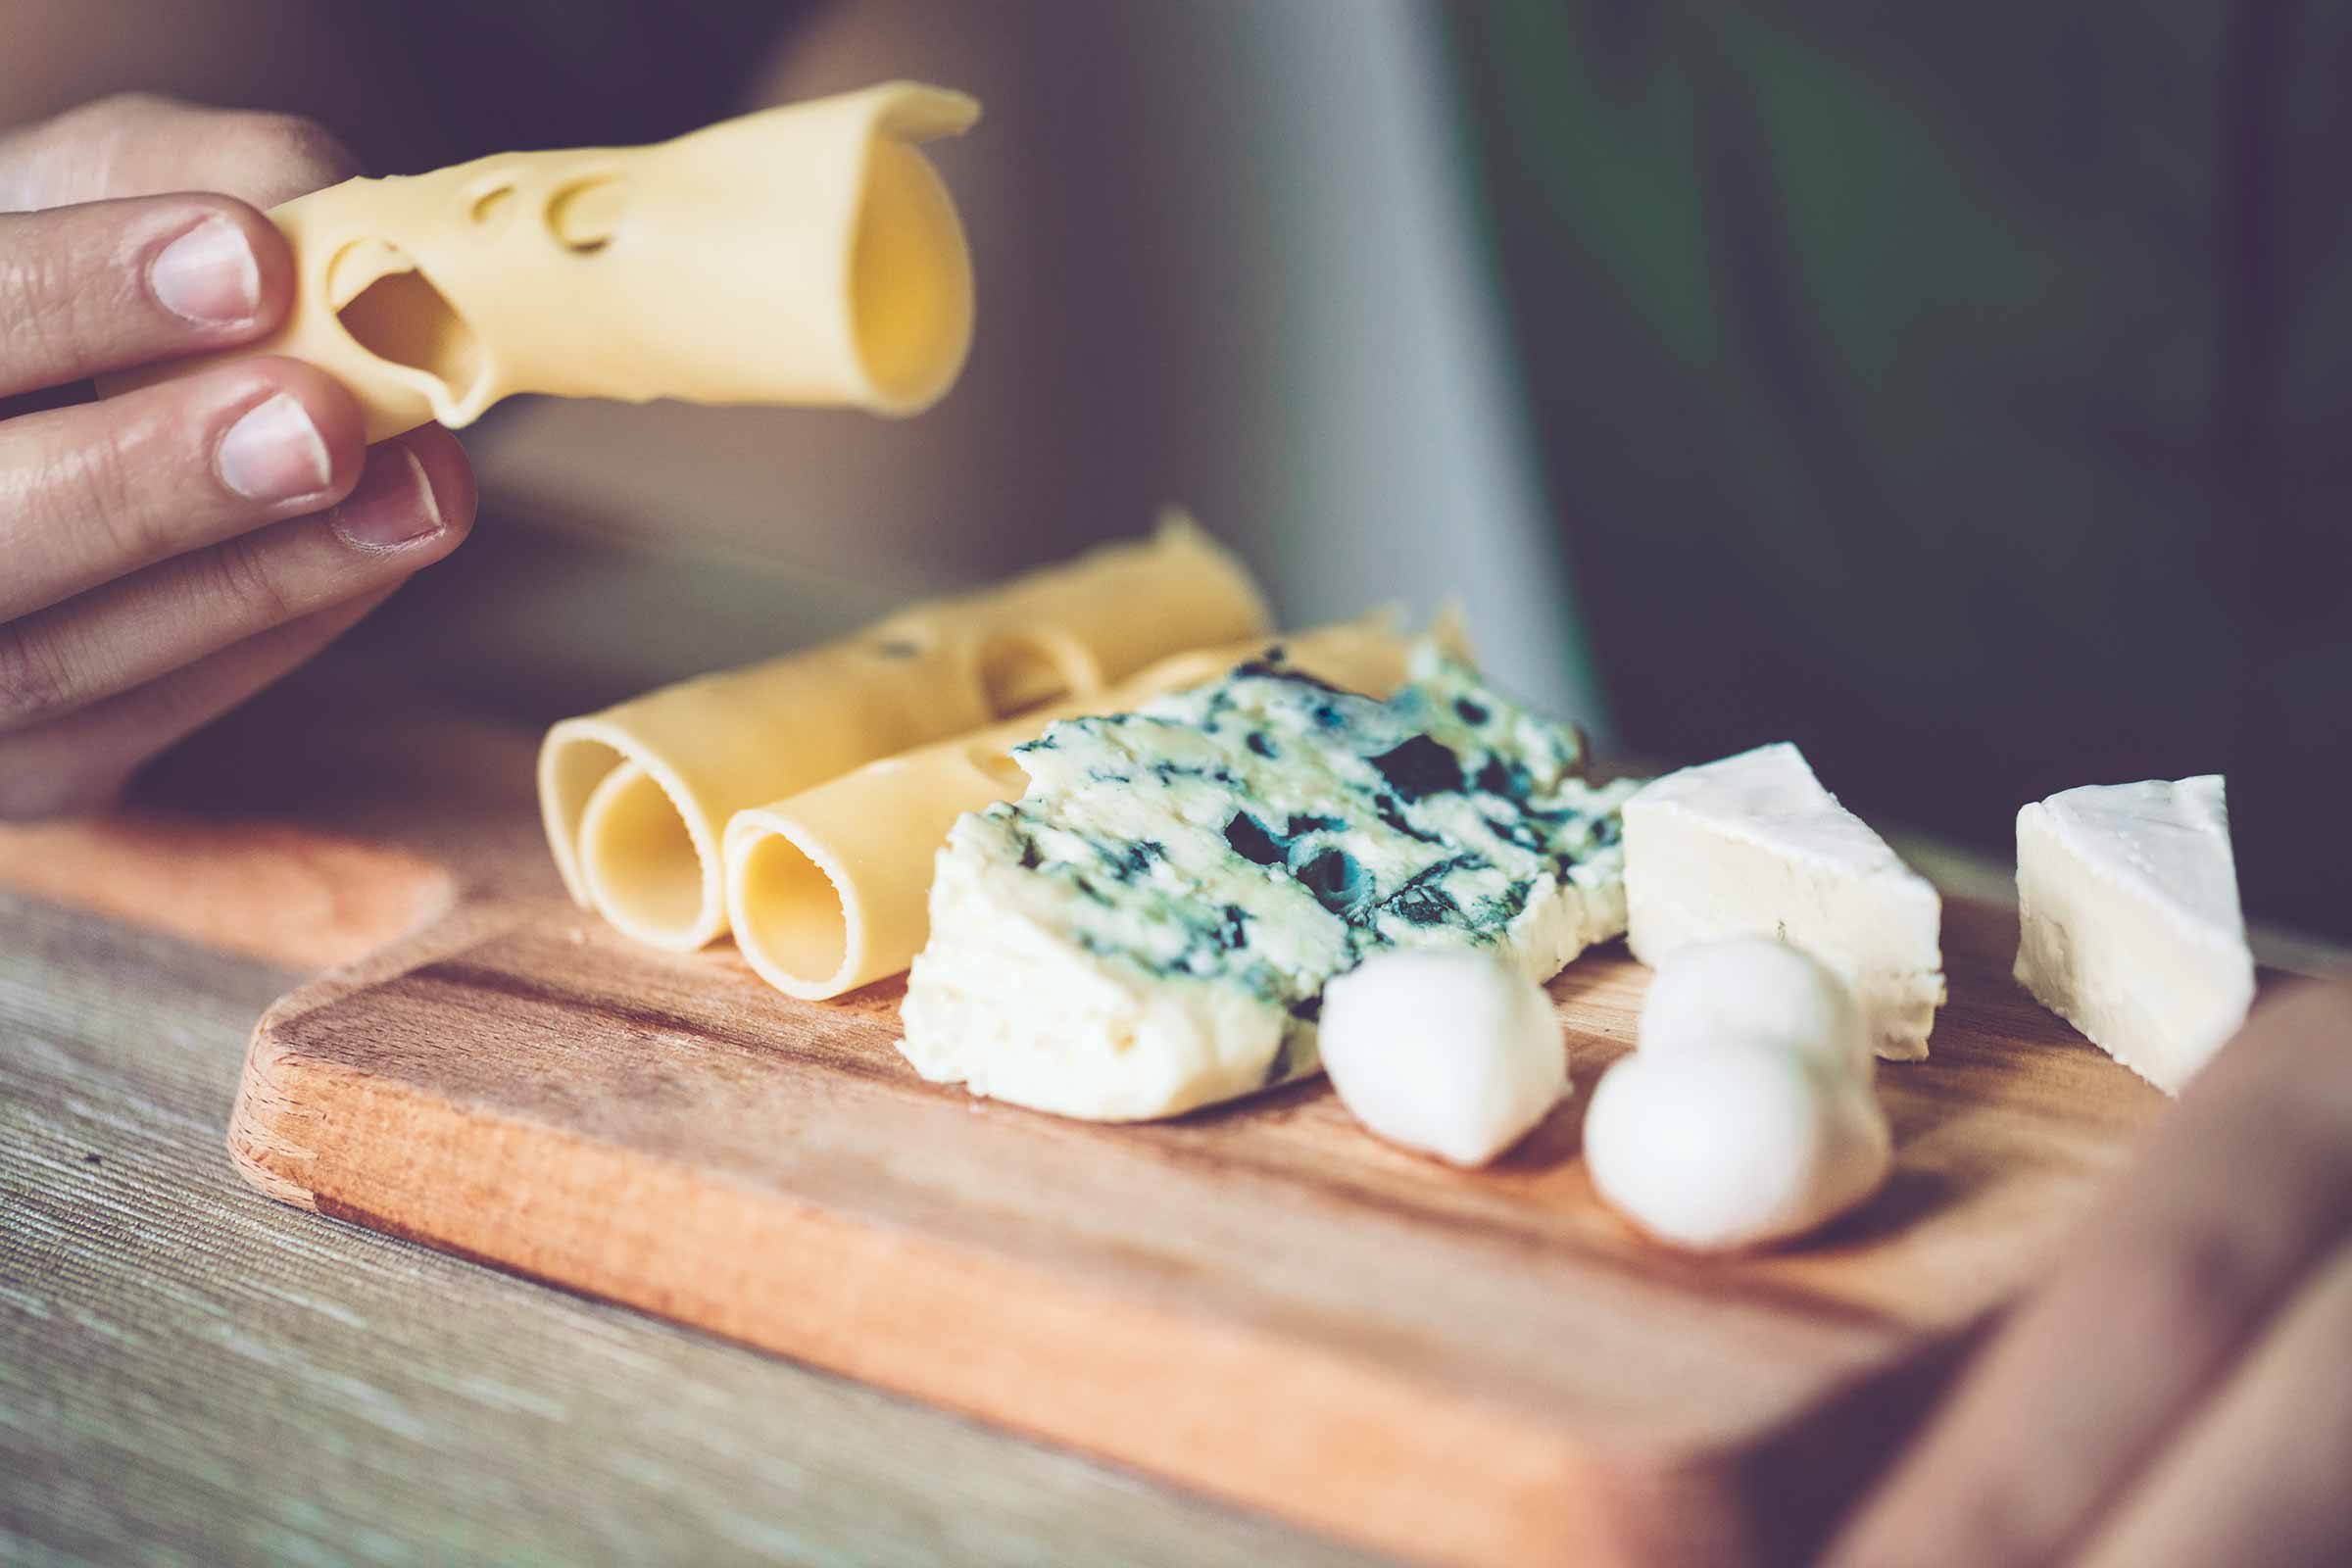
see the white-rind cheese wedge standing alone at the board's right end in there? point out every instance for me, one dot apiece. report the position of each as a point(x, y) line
point(2130, 923)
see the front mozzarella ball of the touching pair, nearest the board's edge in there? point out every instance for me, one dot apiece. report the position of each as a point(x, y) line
point(1730, 1146)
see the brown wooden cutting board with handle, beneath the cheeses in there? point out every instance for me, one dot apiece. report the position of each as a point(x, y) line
point(1257, 1301)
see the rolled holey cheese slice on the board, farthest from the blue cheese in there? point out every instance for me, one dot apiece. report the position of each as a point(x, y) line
point(639, 796)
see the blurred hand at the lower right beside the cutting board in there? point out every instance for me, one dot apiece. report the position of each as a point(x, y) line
point(2181, 1393)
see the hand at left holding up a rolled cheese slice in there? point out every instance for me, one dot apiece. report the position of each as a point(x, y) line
point(171, 551)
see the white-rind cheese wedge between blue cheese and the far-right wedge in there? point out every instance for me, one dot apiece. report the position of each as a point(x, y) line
point(1756, 847)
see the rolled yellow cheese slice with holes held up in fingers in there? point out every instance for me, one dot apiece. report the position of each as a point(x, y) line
point(803, 255)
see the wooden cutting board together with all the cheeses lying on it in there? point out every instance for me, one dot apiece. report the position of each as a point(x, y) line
point(1013, 1097)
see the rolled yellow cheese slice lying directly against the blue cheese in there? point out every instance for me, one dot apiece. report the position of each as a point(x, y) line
point(831, 890)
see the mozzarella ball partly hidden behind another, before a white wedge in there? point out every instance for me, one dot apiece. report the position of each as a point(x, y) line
point(1760, 993)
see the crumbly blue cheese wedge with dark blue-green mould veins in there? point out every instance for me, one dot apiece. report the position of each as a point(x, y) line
point(1151, 925)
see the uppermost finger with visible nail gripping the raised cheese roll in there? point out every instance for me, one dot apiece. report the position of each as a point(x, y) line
point(109, 286)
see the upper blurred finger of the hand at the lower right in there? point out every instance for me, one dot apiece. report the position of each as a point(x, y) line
point(2238, 1200)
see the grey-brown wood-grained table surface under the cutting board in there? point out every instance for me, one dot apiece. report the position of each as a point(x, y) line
point(194, 1374)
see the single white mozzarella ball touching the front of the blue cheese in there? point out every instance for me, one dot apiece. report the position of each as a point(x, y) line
point(1455, 1054)
